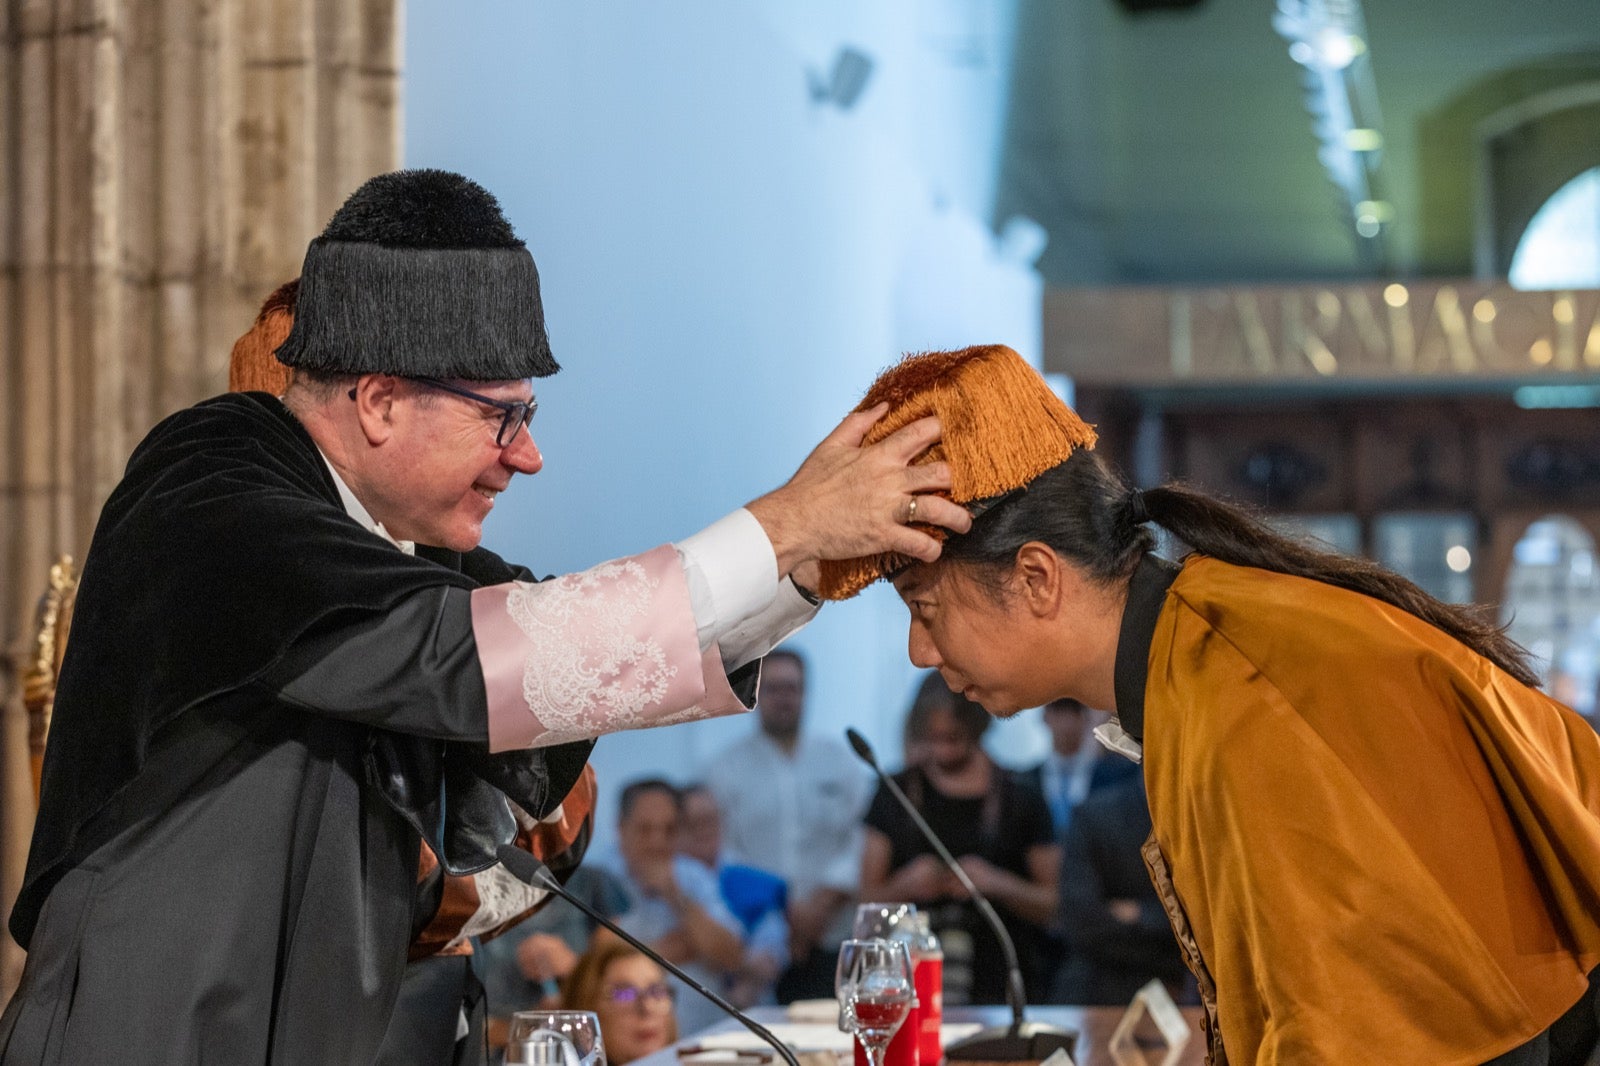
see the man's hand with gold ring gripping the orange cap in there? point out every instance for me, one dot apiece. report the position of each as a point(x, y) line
point(849, 500)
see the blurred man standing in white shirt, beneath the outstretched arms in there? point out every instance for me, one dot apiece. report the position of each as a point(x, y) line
point(791, 804)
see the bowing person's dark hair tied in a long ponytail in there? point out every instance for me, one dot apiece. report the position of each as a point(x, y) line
point(1086, 513)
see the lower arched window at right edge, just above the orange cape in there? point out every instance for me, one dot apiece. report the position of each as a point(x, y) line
point(1553, 604)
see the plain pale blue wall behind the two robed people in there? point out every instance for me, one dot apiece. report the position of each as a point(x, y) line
point(726, 266)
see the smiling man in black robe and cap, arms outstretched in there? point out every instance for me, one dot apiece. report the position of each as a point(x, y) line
point(268, 702)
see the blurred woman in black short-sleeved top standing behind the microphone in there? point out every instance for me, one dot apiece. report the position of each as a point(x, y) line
point(998, 828)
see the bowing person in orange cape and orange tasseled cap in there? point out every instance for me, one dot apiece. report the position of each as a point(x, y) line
point(1375, 836)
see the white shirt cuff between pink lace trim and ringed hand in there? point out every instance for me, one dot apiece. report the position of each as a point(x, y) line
point(732, 574)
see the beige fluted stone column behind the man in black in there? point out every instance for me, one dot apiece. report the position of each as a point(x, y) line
point(162, 167)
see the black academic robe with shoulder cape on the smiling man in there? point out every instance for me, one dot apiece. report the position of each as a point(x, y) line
point(262, 710)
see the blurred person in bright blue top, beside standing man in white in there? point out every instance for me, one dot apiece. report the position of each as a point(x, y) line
point(753, 896)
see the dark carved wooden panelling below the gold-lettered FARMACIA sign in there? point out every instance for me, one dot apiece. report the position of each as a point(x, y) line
point(1370, 455)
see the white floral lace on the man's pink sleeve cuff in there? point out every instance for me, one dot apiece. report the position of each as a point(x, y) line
point(586, 671)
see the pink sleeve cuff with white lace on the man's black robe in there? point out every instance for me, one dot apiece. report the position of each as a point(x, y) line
point(596, 652)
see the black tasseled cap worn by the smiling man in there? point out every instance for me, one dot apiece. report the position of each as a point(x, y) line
point(420, 275)
